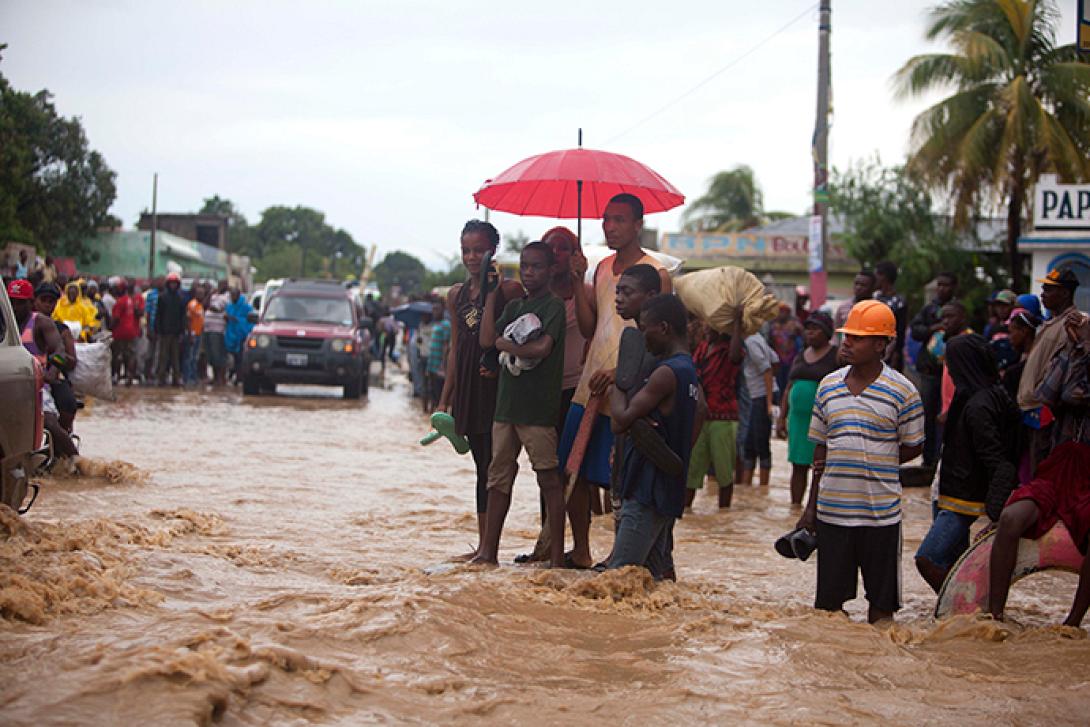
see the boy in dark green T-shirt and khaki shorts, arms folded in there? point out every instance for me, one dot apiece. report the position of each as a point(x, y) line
point(528, 406)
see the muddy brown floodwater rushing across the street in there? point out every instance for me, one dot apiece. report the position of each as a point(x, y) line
point(263, 562)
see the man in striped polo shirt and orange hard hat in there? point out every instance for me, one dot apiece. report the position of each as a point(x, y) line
point(868, 419)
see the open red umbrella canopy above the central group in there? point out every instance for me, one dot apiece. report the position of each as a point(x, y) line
point(576, 184)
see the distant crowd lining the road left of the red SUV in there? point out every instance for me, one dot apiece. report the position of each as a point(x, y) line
point(160, 335)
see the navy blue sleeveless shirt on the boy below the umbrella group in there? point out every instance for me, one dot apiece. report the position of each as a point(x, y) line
point(641, 480)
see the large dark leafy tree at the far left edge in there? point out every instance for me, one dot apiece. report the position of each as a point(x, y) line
point(55, 191)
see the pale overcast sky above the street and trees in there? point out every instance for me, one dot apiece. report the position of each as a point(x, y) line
point(389, 116)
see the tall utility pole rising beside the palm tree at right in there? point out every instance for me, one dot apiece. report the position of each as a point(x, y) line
point(819, 224)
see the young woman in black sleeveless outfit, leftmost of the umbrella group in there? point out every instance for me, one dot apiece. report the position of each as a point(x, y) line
point(469, 392)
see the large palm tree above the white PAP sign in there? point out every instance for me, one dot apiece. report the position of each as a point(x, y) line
point(1020, 108)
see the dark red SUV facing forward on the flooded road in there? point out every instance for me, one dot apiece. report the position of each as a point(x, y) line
point(311, 332)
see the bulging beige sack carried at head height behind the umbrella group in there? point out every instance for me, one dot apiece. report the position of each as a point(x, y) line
point(713, 295)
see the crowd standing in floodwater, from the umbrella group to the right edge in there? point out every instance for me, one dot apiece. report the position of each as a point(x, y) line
point(626, 405)
